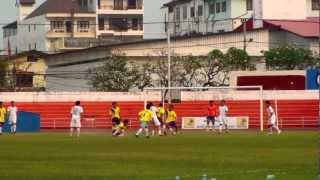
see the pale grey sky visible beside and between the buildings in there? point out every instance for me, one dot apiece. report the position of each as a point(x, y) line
point(152, 14)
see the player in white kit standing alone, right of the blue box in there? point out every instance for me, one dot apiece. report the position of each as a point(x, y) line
point(75, 123)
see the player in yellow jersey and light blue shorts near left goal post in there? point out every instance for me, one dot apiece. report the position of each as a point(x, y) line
point(145, 116)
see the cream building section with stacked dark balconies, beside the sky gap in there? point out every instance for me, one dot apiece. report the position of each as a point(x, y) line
point(120, 18)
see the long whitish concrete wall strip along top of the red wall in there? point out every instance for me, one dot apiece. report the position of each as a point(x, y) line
point(154, 96)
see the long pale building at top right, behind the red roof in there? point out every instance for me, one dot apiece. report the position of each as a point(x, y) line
point(211, 16)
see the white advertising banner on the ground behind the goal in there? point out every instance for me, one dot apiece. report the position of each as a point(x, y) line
point(201, 122)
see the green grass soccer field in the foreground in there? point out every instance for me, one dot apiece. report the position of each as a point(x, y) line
point(238, 155)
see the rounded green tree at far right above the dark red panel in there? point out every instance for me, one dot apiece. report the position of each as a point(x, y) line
point(289, 58)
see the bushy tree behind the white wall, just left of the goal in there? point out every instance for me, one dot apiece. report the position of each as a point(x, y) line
point(114, 75)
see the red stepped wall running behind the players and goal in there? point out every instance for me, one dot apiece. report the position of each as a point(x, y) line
point(291, 113)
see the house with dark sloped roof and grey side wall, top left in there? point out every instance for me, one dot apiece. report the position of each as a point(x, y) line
point(54, 26)
